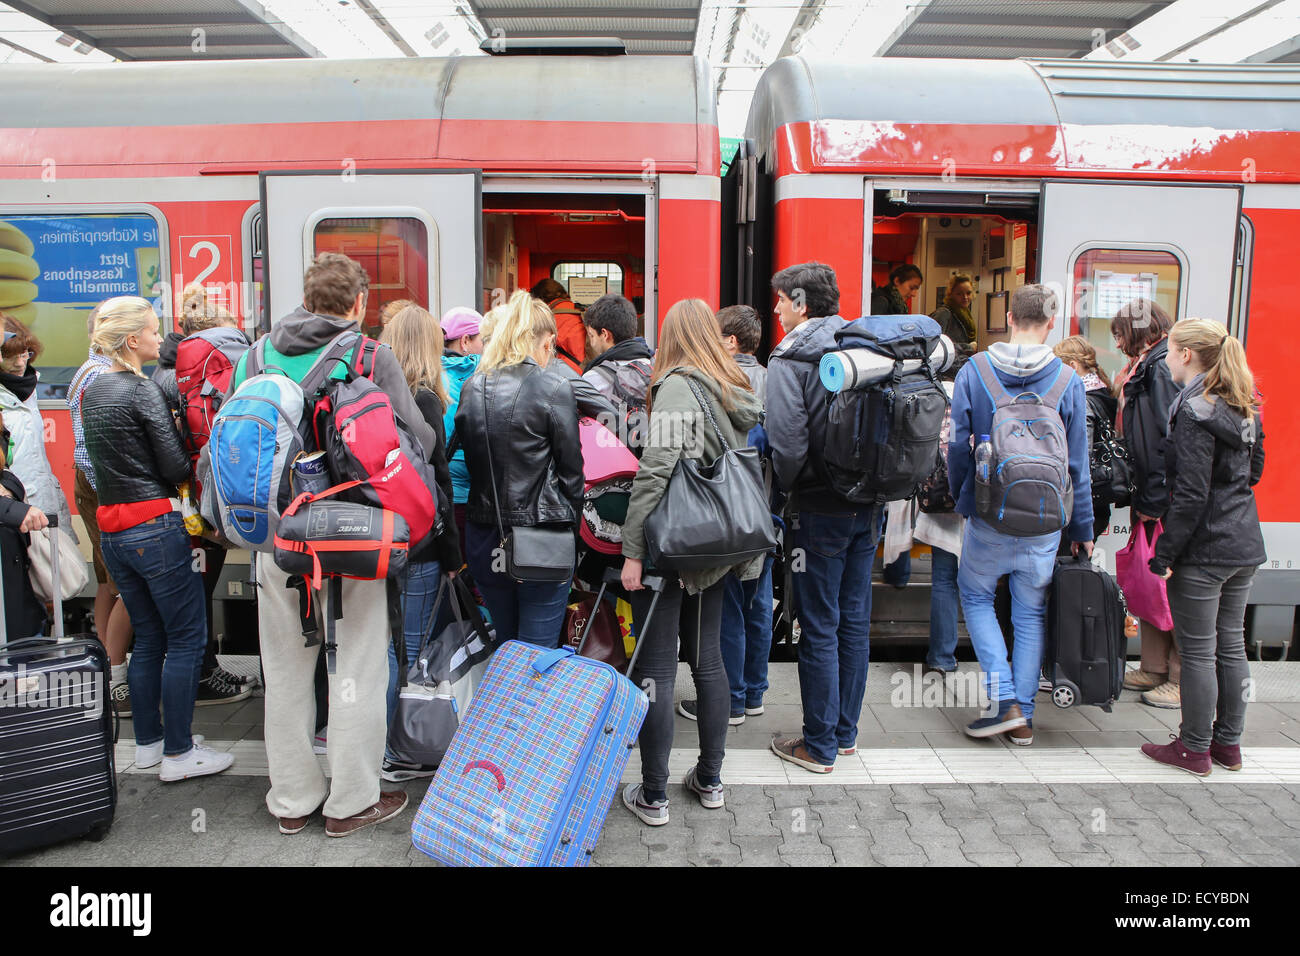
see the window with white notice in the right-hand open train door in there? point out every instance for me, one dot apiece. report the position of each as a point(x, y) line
point(1108, 279)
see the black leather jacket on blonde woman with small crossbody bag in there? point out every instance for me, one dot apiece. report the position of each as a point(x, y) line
point(526, 417)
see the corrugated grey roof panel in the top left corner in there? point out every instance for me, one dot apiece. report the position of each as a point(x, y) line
point(163, 31)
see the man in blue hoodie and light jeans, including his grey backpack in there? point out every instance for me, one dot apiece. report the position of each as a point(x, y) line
point(1019, 468)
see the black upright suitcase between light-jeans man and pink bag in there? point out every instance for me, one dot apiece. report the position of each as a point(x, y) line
point(1085, 657)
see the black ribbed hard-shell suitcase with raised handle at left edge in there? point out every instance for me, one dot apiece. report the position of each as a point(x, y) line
point(57, 738)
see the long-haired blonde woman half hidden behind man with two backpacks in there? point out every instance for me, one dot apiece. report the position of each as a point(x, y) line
point(417, 341)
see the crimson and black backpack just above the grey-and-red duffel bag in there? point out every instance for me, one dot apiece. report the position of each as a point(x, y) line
point(366, 442)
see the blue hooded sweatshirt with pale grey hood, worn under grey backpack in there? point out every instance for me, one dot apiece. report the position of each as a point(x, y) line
point(1020, 369)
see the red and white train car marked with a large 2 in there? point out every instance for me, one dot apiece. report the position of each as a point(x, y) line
point(454, 181)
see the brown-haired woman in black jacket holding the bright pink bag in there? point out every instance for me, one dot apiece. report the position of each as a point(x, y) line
point(1146, 395)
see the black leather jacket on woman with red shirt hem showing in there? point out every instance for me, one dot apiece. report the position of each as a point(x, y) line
point(132, 440)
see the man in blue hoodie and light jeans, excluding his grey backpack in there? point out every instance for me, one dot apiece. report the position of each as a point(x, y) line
point(1024, 364)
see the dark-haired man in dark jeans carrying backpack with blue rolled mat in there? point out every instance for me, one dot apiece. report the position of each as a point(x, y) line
point(835, 540)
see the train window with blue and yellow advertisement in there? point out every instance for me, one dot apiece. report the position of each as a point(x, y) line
point(57, 269)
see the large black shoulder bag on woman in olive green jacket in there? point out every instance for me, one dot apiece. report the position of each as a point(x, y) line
point(712, 516)
